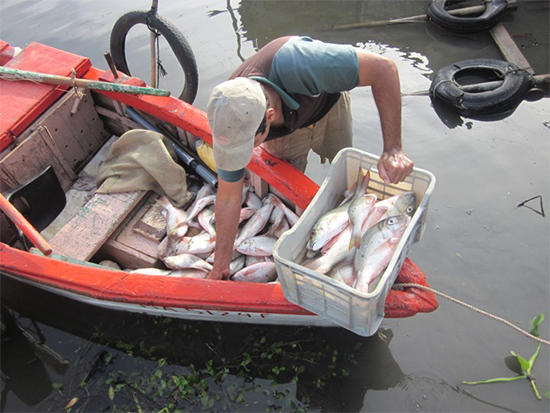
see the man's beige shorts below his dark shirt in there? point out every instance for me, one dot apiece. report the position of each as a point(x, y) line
point(326, 137)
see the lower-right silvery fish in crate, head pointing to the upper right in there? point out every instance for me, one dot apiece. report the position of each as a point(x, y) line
point(377, 247)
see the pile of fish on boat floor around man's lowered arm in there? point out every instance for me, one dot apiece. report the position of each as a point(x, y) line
point(188, 248)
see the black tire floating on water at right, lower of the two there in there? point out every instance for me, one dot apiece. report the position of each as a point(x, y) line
point(506, 86)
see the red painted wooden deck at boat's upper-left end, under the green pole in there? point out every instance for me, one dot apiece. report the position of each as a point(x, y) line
point(20, 106)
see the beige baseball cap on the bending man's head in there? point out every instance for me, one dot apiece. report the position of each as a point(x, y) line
point(236, 109)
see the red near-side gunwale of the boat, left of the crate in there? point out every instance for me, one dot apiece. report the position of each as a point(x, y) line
point(120, 286)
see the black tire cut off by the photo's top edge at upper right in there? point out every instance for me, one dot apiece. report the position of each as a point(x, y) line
point(494, 10)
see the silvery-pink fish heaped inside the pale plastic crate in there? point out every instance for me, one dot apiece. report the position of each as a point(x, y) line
point(354, 242)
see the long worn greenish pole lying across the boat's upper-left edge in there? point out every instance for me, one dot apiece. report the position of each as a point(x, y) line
point(16, 74)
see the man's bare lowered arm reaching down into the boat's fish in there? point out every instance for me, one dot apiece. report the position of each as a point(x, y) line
point(228, 206)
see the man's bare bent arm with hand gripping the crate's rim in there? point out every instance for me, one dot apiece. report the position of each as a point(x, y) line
point(380, 73)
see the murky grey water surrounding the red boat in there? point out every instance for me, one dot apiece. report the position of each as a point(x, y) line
point(479, 246)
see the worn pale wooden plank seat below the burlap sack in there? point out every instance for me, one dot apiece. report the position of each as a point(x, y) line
point(86, 232)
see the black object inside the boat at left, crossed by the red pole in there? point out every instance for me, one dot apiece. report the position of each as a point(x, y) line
point(41, 199)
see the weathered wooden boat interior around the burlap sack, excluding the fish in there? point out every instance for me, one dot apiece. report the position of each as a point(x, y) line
point(50, 175)
